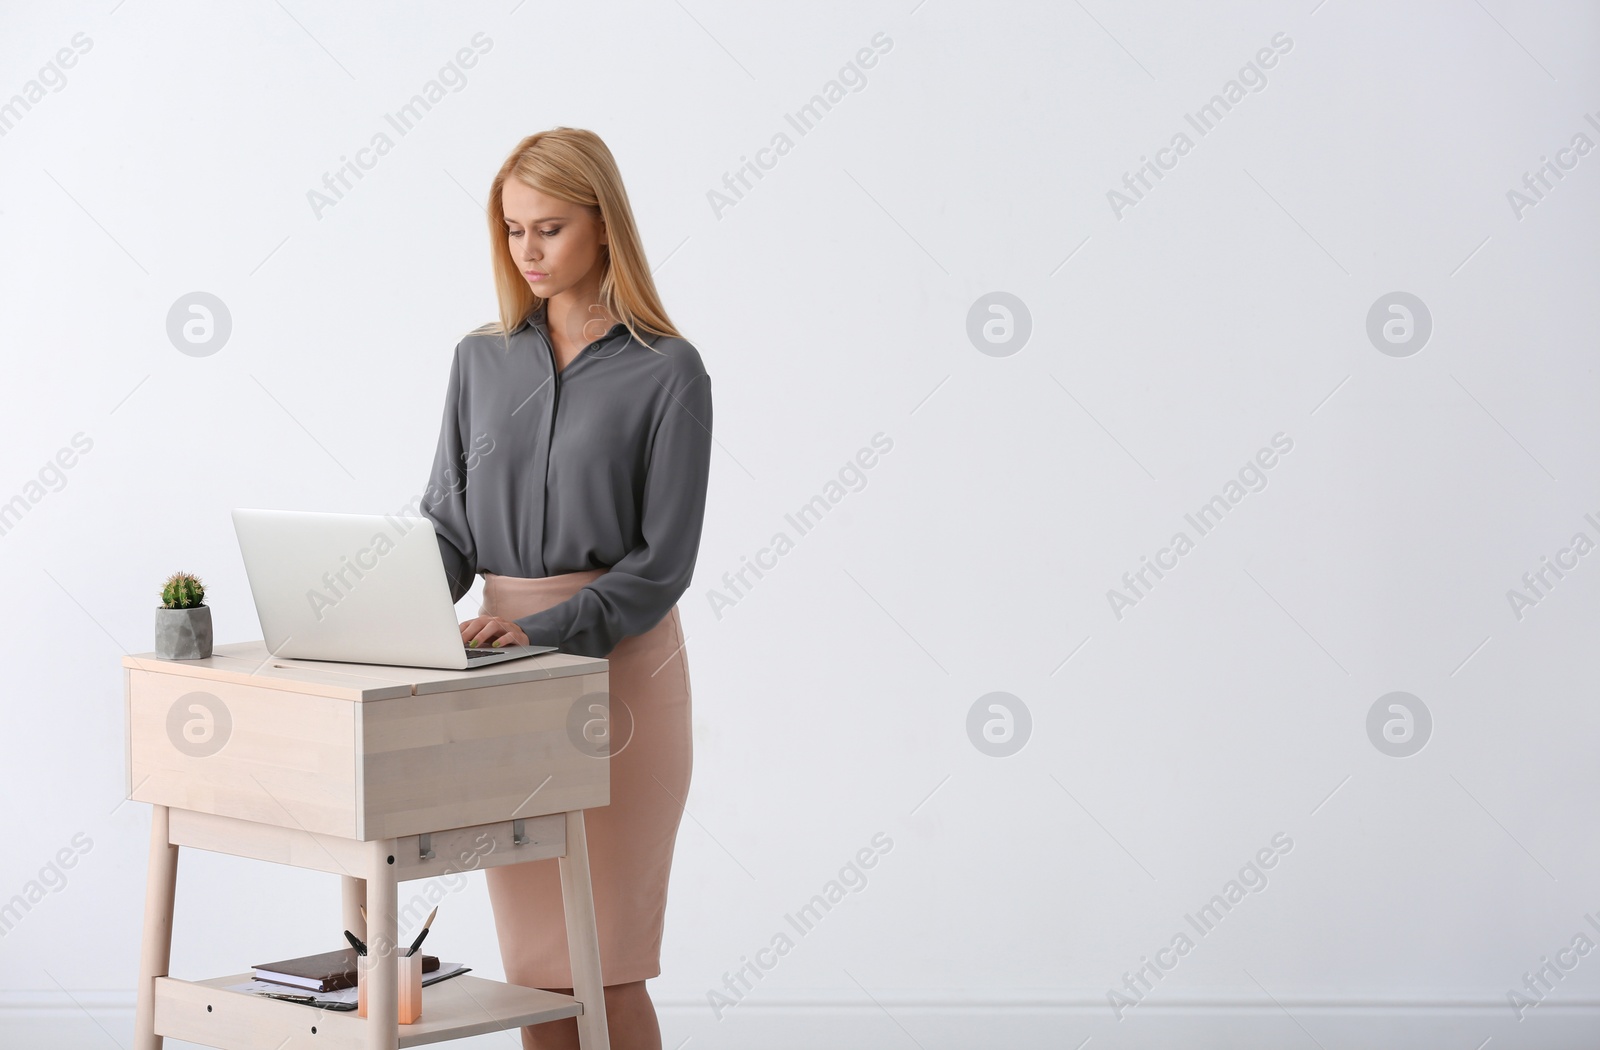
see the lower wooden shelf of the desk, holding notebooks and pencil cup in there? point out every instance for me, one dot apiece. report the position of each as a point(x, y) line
point(463, 1006)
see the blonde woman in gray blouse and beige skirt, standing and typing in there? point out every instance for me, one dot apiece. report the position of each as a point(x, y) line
point(585, 516)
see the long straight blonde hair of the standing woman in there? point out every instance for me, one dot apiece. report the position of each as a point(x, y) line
point(575, 166)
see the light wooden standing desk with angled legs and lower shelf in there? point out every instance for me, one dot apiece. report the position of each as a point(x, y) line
point(378, 775)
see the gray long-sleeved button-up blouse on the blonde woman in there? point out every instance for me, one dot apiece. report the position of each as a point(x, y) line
point(601, 465)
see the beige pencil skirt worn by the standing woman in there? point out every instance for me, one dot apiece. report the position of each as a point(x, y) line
point(631, 840)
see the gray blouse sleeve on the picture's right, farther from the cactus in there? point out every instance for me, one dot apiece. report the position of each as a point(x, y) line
point(644, 585)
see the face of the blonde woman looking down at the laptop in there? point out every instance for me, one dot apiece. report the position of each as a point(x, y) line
point(556, 244)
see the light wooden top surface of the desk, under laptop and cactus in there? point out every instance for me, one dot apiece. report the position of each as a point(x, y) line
point(250, 663)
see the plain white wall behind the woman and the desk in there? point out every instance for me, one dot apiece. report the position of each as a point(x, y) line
point(1170, 340)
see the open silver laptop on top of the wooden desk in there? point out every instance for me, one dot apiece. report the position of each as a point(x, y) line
point(358, 588)
